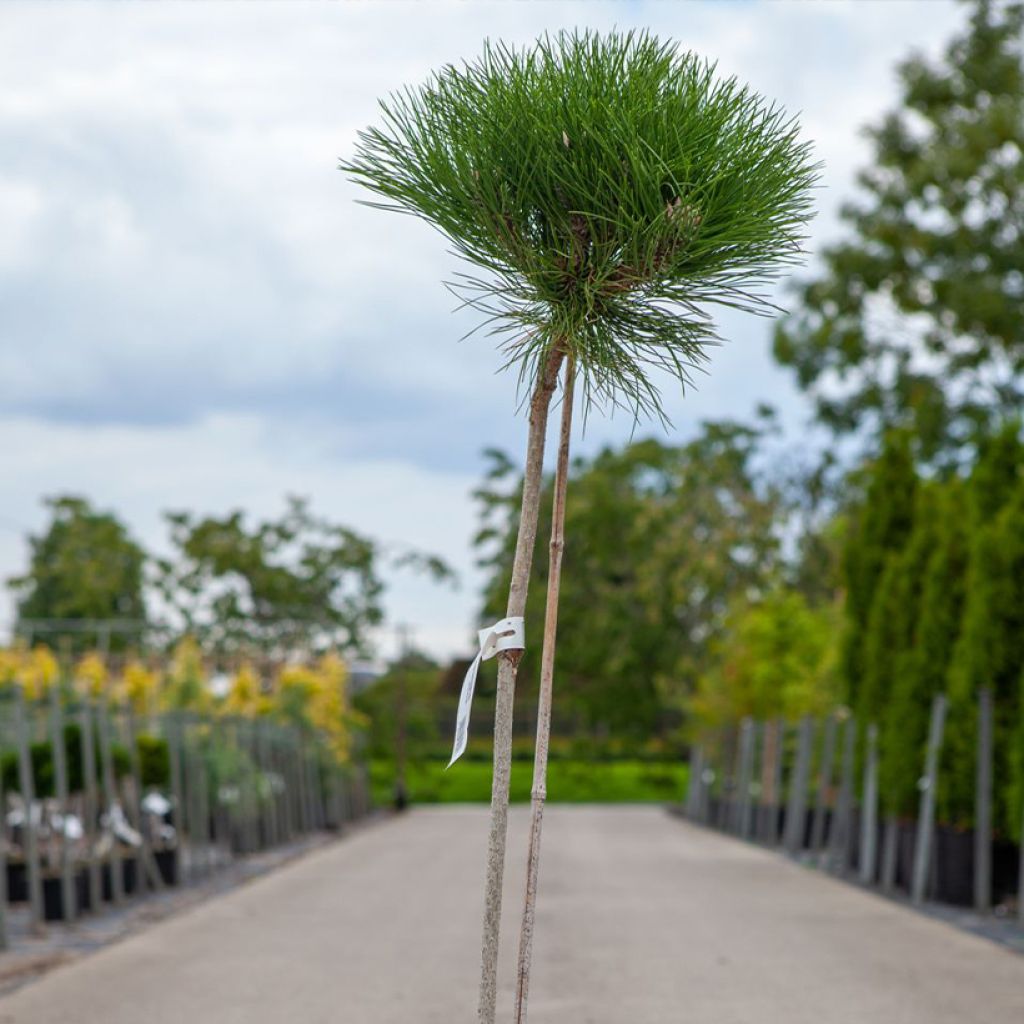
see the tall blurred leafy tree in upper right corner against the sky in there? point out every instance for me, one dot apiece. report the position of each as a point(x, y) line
point(919, 312)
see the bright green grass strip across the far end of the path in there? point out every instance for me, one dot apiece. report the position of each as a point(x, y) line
point(569, 782)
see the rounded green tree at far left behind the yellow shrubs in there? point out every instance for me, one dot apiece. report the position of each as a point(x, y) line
point(84, 567)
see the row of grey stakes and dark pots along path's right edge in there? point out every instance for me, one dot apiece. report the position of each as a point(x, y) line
point(814, 790)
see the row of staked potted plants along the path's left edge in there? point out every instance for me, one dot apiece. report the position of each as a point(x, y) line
point(101, 804)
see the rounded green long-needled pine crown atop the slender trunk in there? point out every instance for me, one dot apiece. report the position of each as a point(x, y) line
point(610, 187)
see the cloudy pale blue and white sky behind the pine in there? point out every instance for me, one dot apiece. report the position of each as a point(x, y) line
point(196, 314)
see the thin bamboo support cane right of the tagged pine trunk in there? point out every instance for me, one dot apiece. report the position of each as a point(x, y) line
point(540, 791)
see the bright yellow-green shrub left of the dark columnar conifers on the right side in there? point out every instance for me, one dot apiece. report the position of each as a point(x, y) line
point(775, 658)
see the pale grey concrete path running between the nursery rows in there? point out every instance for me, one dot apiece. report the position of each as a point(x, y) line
point(643, 920)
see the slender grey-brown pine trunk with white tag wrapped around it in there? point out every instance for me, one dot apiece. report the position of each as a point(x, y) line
point(508, 664)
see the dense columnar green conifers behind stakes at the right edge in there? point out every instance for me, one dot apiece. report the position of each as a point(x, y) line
point(935, 605)
